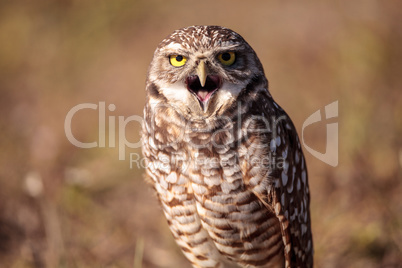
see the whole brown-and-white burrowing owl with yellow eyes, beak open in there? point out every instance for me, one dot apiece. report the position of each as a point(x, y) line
point(223, 157)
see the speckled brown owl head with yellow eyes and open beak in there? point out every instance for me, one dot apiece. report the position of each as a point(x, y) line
point(201, 70)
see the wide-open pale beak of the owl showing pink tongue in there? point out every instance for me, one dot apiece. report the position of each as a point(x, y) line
point(203, 85)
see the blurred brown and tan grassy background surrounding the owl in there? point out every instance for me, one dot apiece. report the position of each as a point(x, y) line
point(65, 206)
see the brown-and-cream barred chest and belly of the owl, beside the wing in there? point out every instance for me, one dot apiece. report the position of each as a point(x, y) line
point(206, 196)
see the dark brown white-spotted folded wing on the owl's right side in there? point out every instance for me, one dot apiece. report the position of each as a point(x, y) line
point(288, 193)
